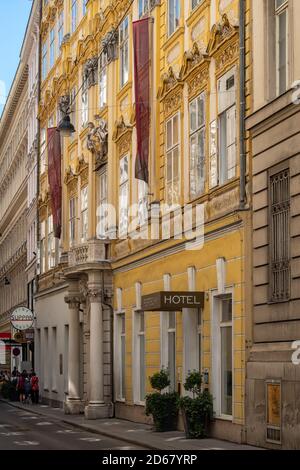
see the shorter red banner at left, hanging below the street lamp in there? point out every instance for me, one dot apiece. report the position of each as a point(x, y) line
point(54, 177)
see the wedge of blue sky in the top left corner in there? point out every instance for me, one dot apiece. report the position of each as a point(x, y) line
point(13, 21)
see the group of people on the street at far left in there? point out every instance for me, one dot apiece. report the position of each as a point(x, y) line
point(27, 384)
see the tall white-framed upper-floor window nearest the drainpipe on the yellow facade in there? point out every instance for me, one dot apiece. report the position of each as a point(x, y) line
point(227, 123)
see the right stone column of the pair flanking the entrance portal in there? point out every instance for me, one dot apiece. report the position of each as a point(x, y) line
point(96, 407)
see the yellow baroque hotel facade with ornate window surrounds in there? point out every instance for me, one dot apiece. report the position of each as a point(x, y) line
point(194, 159)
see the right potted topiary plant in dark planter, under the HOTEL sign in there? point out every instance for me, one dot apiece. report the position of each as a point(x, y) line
point(197, 411)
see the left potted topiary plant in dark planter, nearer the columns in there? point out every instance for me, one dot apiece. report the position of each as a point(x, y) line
point(162, 406)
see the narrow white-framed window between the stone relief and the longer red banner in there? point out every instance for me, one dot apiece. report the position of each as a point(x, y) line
point(123, 195)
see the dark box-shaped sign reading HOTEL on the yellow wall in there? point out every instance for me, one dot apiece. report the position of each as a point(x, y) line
point(172, 301)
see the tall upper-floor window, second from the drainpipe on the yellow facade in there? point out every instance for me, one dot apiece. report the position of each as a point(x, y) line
point(197, 146)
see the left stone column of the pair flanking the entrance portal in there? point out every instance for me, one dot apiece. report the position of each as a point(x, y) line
point(73, 403)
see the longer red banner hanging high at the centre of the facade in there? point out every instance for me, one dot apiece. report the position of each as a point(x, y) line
point(142, 94)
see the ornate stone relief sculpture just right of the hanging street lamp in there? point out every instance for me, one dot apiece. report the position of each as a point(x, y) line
point(97, 142)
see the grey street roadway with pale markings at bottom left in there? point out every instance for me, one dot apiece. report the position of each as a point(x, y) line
point(22, 430)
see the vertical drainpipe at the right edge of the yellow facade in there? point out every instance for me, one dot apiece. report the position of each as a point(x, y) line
point(242, 35)
